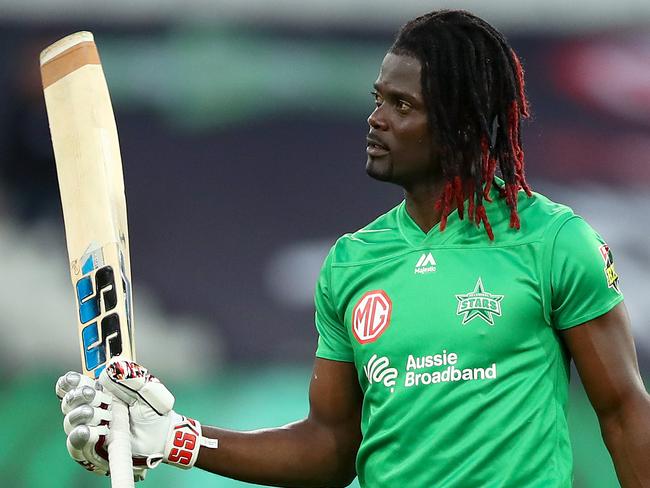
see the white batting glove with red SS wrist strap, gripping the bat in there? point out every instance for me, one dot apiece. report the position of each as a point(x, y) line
point(158, 434)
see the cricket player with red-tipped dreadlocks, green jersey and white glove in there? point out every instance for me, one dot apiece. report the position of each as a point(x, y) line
point(446, 326)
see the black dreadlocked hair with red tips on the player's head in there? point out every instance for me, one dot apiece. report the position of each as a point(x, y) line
point(473, 88)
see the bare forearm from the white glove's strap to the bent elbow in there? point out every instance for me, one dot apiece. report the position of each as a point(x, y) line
point(301, 454)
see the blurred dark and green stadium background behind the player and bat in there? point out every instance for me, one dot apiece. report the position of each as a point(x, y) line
point(242, 127)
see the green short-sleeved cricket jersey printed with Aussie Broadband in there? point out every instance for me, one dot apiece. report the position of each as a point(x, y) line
point(455, 340)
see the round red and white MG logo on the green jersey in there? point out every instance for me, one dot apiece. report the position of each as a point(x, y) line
point(371, 316)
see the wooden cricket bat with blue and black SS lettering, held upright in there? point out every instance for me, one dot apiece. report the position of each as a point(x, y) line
point(89, 168)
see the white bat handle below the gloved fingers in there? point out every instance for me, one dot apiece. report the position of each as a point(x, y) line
point(119, 448)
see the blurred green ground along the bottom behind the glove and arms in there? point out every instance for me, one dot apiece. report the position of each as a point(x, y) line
point(33, 454)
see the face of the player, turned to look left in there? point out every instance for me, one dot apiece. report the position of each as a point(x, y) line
point(400, 149)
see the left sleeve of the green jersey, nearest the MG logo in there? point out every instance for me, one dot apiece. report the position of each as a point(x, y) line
point(333, 339)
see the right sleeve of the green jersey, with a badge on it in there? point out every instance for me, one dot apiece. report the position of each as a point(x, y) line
point(584, 283)
